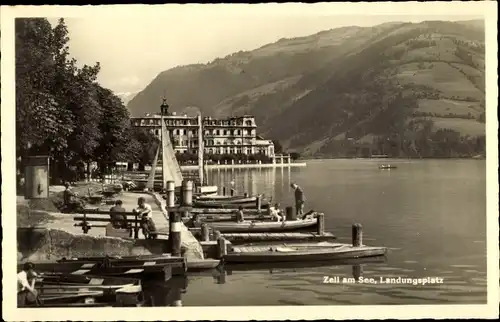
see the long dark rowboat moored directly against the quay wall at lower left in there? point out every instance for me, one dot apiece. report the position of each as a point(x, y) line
point(149, 266)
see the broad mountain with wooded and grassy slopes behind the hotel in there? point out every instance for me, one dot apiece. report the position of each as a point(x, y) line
point(355, 83)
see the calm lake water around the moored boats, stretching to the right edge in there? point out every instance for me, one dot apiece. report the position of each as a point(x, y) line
point(431, 214)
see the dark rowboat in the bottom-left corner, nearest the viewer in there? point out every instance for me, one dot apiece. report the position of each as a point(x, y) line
point(60, 290)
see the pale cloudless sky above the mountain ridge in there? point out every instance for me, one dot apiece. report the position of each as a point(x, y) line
point(134, 48)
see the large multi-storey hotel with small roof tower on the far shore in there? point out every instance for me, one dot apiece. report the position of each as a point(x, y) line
point(235, 135)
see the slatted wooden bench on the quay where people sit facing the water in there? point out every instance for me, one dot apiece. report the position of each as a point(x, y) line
point(103, 220)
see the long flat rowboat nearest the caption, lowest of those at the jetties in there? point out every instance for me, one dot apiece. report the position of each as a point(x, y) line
point(300, 252)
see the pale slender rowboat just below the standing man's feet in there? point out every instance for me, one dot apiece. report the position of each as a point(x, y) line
point(263, 226)
